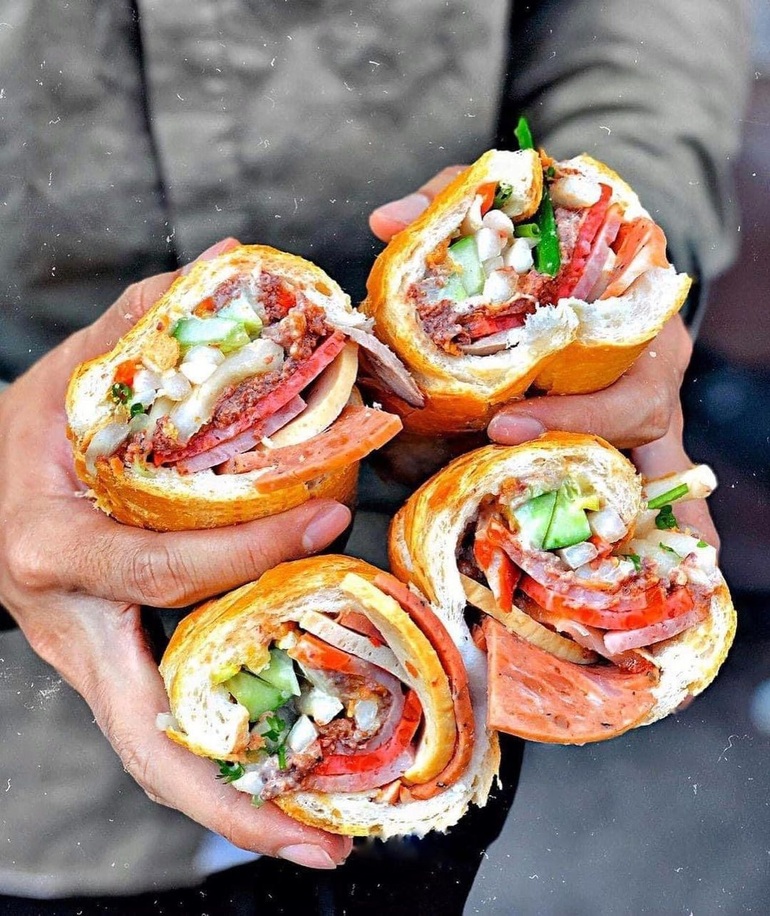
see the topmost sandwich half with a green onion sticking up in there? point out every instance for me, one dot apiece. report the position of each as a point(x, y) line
point(523, 274)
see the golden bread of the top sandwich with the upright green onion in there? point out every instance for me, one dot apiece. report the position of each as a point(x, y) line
point(569, 348)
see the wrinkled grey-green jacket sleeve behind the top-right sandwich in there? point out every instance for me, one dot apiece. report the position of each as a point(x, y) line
point(656, 90)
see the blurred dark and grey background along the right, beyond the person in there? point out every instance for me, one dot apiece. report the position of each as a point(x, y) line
point(676, 818)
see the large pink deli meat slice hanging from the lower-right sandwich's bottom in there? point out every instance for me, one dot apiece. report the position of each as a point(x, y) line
point(542, 698)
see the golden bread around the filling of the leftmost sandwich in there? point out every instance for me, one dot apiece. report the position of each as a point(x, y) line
point(161, 498)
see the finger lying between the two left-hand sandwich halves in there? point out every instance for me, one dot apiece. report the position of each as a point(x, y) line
point(103, 558)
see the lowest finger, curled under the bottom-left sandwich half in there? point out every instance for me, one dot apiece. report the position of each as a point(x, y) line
point(128, 696)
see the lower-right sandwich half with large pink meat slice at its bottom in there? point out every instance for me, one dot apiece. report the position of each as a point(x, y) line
point(598, 612)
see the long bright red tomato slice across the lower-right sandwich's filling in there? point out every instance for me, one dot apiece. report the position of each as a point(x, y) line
point(628, 612)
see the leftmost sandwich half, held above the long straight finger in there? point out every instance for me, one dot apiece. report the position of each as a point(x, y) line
point(233, 398)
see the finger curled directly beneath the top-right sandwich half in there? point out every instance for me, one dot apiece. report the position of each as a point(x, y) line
point(635, 410)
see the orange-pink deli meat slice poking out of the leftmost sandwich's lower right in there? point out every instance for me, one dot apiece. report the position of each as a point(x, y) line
point(357, 432)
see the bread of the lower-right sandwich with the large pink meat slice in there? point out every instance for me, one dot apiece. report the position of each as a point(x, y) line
point(426, 531)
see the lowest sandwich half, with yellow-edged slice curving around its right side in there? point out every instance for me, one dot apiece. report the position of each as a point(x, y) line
point(333, 690)
